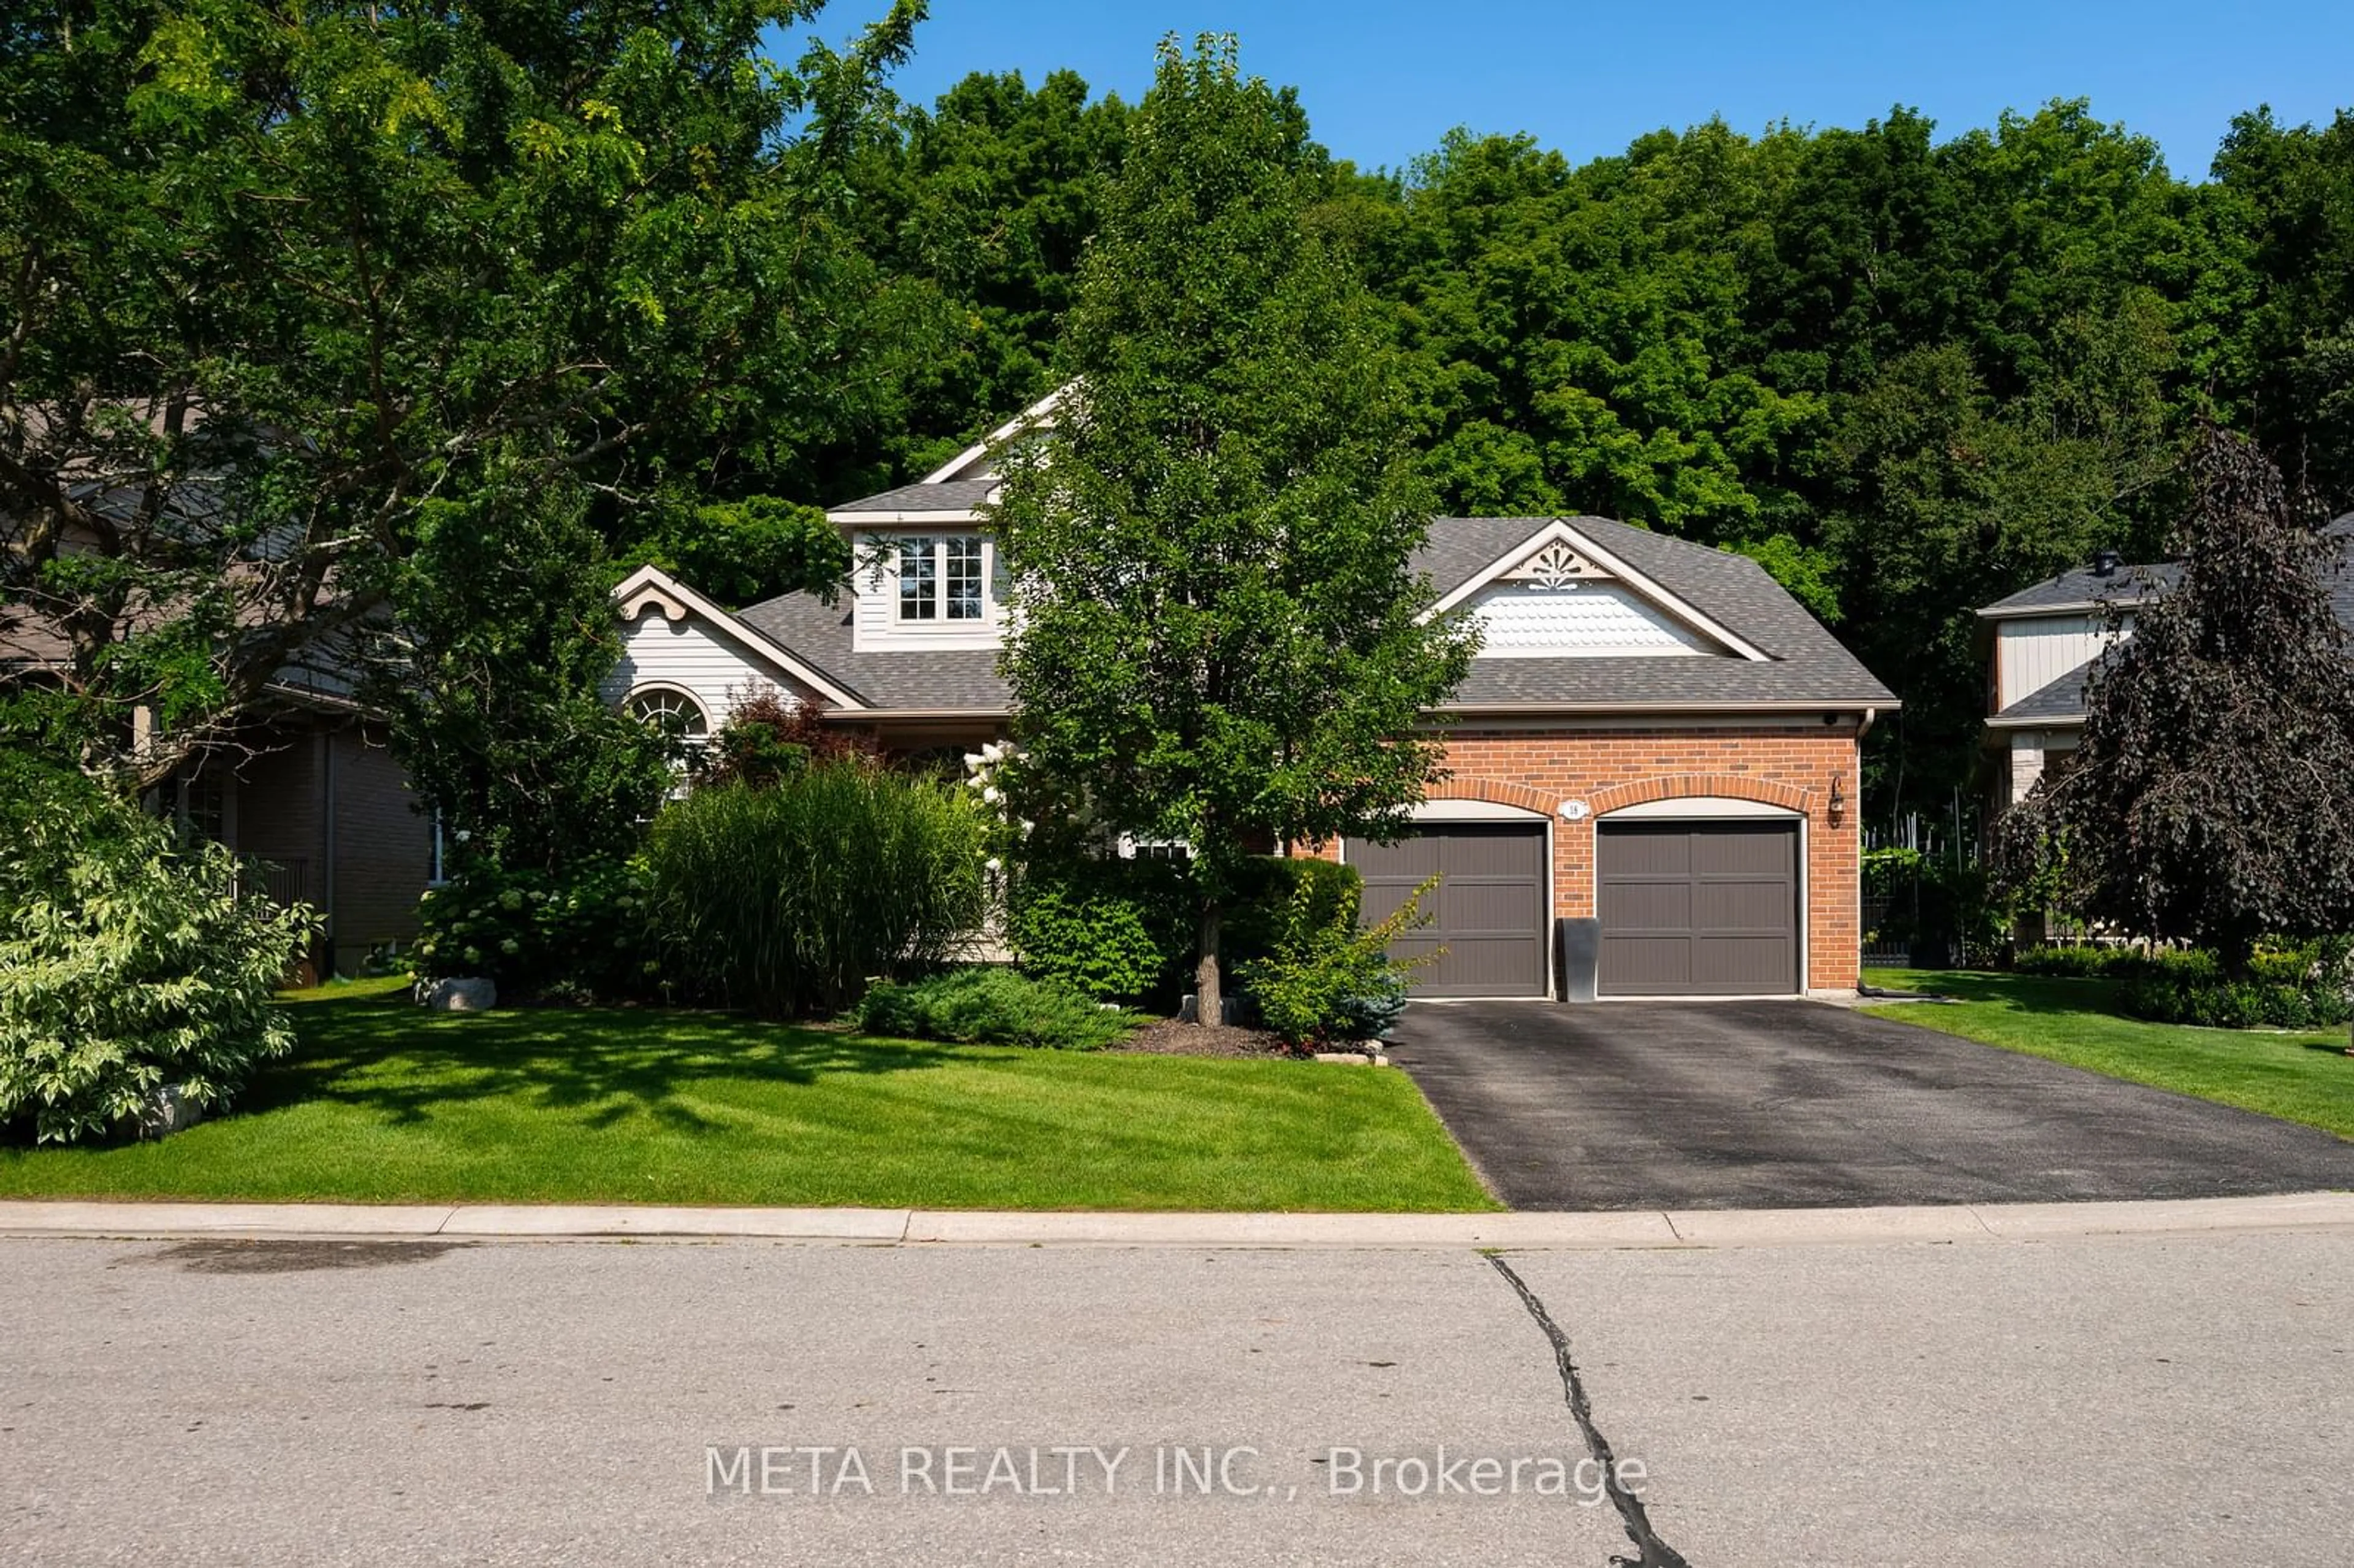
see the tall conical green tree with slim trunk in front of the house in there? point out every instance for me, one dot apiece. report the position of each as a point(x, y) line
point(1218, 632)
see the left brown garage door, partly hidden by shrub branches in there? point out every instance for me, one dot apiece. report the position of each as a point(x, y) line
point(1489, 908)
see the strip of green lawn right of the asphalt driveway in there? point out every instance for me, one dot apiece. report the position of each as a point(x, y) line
point(2296, 1077)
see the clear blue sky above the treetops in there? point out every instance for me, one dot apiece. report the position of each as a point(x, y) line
point(1383, 81)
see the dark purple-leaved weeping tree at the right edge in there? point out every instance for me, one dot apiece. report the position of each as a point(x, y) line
point(2214, 792)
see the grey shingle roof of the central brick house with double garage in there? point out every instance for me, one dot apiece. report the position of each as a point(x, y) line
point(1807, 663)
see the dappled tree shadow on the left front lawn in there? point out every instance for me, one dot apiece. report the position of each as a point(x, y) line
point(387, 1056)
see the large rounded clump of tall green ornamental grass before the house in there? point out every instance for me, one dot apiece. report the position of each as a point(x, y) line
point(792, 898)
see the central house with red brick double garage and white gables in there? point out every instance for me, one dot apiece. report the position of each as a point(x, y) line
point(1654, 764)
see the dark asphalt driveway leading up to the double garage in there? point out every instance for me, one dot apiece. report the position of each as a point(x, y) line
point(1804, 1105)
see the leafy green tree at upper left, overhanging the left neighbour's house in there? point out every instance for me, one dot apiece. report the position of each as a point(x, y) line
point(281, 277)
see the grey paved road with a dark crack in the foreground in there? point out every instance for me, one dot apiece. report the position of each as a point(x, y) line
point(312, 1402)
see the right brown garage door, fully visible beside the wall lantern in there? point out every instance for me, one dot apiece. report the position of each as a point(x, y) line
point(1698, 908)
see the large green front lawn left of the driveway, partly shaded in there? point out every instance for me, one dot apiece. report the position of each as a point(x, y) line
point(385, 1105)
